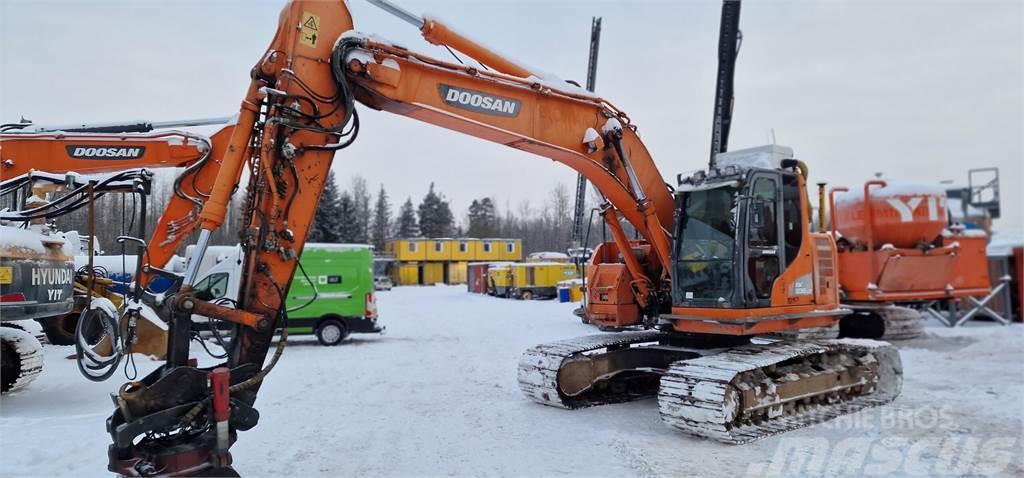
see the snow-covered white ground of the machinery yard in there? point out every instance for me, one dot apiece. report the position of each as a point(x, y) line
point(438, 396)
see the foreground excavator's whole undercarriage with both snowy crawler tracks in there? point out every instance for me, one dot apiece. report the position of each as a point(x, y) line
point(737, 393)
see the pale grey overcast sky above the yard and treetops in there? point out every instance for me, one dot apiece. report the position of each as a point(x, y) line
point(914, 90)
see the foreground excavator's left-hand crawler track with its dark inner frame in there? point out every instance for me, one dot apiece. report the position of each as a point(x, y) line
point(543, 371)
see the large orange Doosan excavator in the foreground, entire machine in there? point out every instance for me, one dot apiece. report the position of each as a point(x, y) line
point(726, 257)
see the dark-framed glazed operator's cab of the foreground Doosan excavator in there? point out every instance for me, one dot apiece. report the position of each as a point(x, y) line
point(735, 234)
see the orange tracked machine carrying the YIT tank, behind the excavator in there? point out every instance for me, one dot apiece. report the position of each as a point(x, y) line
point(898, 252)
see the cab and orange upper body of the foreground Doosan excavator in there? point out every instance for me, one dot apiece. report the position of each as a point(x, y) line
point(744, 259)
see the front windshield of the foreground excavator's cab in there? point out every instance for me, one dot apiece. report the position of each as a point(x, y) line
point(706, 241)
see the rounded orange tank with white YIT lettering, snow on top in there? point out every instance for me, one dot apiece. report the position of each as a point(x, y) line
point(901, 213)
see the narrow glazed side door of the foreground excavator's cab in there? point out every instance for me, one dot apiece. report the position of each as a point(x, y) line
point(764, 228)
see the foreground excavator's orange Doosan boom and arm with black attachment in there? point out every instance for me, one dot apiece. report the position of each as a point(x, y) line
point(298, 111)
